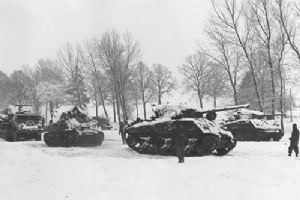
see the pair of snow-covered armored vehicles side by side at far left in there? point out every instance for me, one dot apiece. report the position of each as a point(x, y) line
point(73, 128)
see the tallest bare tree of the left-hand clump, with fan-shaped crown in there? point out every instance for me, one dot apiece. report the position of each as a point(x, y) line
point(118, 55)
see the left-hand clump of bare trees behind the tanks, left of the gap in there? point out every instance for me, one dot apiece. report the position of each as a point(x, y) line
point(105, 71)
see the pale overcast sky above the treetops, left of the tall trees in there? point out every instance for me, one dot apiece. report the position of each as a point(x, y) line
point(167, 30)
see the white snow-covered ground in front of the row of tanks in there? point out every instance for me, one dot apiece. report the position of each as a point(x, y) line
point(253, 170)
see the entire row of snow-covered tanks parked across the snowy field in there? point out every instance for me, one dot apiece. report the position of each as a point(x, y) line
point(204, 136)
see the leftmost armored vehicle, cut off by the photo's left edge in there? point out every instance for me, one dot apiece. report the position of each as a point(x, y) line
point(21, 125)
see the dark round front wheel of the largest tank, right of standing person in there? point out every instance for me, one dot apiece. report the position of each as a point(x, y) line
point(207, 145)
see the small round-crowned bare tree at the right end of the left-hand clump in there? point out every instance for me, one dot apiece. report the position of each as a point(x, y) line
point(163, 81)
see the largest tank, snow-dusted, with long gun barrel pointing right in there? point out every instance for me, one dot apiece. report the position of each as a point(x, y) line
point(203, 135)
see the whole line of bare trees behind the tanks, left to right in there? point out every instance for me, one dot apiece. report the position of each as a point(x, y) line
point(250, 54)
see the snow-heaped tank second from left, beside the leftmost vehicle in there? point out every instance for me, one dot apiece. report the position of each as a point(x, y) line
point(73, 128)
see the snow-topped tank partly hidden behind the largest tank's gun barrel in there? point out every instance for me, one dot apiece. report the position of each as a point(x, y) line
point(251, 125)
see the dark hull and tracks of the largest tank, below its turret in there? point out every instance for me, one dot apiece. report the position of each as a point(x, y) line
point(158, 138)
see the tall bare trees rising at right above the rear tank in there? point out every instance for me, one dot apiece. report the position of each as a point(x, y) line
point(251, 43)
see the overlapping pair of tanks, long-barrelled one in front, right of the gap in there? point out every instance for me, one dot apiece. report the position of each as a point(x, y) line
point(203, 135)
